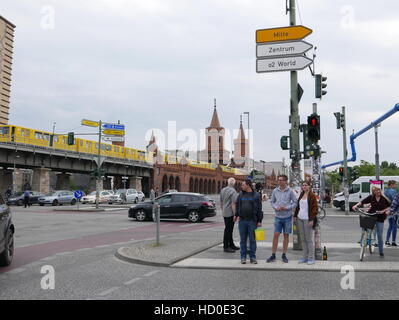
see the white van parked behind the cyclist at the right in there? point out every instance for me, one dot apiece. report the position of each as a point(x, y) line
point(360, 189)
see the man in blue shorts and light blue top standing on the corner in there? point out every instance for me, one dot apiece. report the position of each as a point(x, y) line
point(283, 201)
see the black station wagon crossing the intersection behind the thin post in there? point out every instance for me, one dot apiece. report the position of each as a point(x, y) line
point(192, 206)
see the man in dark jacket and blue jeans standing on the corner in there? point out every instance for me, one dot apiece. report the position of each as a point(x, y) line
point(249, 215)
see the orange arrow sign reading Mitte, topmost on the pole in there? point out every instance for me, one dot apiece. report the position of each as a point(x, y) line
point(282, 34)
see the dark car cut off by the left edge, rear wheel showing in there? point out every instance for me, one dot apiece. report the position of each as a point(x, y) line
point(7, 231)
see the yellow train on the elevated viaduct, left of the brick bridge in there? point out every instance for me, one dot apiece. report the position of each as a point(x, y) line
point(39, 138)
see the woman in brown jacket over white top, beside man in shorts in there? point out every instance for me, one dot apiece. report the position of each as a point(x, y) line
point(306, 216)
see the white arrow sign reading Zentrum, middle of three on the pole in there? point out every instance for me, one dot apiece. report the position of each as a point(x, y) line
point(282, 49)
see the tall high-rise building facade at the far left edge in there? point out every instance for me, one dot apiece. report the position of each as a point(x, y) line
point(6, 56)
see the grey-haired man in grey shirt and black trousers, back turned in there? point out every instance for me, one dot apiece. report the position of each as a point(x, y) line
point(228, 197)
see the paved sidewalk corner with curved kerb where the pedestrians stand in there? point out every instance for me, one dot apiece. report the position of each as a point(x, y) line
point(203, 249)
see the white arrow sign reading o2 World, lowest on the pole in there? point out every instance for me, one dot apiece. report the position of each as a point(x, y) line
point(282, 64)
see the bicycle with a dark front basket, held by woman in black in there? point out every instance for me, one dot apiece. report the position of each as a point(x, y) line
point(367, 223)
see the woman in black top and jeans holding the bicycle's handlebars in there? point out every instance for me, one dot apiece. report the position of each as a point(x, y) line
point(378, 204)
